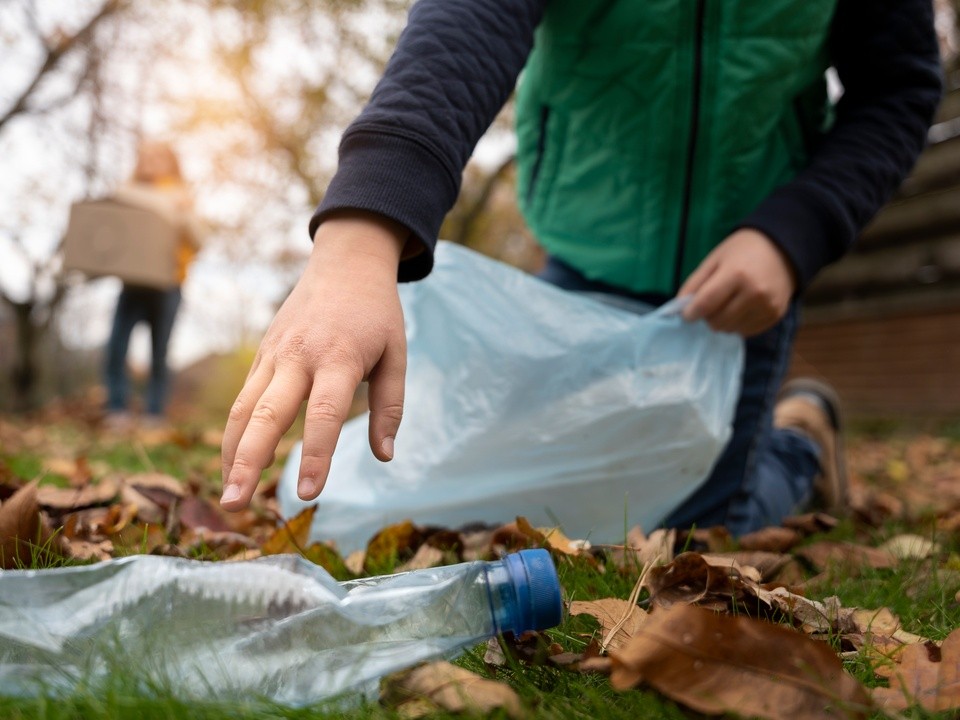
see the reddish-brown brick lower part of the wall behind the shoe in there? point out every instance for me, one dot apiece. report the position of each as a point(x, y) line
point(902, 364)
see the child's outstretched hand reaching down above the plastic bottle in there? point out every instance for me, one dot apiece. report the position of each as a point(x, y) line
point(342, 324)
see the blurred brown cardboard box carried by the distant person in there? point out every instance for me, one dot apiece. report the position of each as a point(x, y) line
point(114, 238)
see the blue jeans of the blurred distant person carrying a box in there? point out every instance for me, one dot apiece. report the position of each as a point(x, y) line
point(158, 308)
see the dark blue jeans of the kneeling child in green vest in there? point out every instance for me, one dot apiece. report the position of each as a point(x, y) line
point(765, 473)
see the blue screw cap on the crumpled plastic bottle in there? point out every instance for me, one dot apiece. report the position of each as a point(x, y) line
point(534, 578)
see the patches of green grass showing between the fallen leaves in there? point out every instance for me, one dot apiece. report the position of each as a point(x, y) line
point(922, 594)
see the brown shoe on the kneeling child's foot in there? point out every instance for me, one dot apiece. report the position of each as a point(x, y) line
point(812, 408)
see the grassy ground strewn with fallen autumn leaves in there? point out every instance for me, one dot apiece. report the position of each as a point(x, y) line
point(823, 617)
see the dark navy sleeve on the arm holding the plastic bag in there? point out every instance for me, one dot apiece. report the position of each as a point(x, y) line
point(887, 57)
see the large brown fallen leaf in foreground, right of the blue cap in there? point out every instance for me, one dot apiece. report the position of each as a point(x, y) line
point(720, 664)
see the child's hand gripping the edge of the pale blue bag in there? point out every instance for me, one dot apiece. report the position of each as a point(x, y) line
point(744, 286)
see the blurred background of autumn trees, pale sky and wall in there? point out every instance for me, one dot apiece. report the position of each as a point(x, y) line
point(253, 95)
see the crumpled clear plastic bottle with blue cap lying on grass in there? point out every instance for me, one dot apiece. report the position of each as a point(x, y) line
point(276, 628)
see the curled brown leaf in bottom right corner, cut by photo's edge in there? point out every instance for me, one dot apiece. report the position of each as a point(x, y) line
point(928, 676)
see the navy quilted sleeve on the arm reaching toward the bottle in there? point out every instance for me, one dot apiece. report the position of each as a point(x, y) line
point(454, 67)
